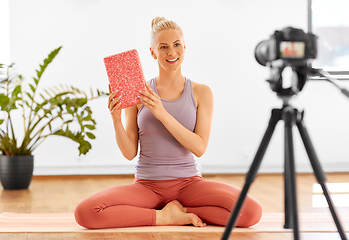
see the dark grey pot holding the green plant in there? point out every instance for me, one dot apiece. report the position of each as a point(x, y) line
point(16, 172)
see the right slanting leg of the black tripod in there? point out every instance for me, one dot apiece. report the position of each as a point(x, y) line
point(319, 173)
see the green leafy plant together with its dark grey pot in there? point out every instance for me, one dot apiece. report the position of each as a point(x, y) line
point(54, 111)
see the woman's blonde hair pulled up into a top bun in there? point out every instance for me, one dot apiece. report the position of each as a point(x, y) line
point(159, 24)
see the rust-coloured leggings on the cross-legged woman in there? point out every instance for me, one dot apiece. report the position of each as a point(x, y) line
point(135, 204)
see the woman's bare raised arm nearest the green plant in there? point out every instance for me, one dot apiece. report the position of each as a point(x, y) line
point(126, 138)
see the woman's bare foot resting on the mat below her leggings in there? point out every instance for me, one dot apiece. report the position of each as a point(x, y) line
point(172, 214)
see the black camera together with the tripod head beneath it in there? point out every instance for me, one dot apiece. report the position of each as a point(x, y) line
point(290, 47)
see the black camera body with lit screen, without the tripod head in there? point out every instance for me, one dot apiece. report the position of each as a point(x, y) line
point(292, 45)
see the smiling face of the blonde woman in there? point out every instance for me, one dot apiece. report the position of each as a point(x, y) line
point(169, 49)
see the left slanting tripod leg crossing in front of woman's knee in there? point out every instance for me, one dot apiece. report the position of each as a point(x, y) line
point(251, 175)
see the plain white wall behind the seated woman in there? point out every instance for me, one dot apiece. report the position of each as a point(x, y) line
point(221, 36)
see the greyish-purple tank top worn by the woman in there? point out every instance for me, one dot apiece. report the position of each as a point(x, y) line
point(161, 156)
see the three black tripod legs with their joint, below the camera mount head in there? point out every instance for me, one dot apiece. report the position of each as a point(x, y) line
point(291, 116)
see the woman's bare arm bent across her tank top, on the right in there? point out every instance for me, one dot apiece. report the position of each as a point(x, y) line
point(196, 141)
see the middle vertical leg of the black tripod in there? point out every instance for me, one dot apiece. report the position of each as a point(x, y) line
point(290, 173)
